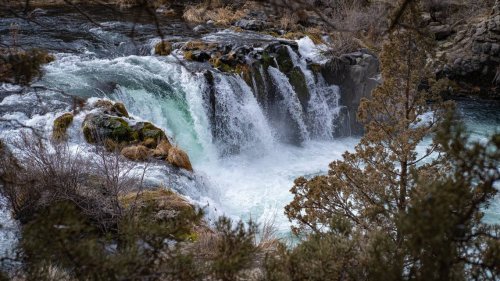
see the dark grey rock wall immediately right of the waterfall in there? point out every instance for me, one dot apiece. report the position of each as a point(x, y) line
point(357, 76)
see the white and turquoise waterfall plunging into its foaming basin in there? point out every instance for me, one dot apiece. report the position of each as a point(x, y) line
point(242, 167)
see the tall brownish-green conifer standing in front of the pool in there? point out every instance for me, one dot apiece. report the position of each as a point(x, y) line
point(371, 185)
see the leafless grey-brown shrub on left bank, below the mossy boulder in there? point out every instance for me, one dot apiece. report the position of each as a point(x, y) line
point(43, 173)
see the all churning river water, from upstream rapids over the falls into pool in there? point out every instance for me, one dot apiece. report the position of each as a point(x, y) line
point(244, 164)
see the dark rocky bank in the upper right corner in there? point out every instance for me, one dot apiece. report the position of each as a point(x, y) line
point(473, 57)
